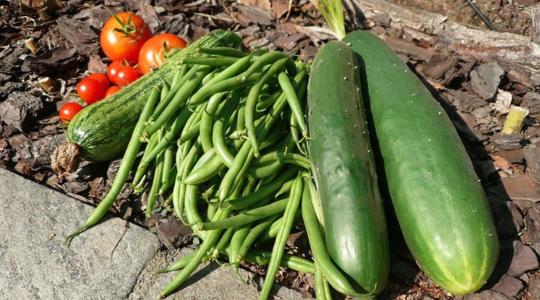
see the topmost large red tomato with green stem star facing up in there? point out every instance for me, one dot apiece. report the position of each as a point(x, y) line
point(123, 35)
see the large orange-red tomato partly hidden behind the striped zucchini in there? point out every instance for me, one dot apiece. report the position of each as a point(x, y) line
point(153, 52)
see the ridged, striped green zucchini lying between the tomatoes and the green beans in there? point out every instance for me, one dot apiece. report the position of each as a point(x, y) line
point(102, 130)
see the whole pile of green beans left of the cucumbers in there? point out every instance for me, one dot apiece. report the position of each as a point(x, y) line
point(225, 143)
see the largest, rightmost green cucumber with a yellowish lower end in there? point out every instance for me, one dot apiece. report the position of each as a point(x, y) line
point(439, 202)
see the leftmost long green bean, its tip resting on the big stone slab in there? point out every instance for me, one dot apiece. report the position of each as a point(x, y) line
point(123, 171)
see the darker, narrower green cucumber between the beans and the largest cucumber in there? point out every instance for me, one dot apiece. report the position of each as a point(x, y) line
point(344, 169)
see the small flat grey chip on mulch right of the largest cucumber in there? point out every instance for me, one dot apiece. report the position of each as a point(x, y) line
point(485, 79)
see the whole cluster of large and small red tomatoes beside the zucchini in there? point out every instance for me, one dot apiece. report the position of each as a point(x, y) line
point(128, 43)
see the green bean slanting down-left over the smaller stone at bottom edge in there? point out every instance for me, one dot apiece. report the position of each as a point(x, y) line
point(206, 246)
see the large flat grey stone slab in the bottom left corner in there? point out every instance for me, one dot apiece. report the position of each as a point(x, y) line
point(35, 264)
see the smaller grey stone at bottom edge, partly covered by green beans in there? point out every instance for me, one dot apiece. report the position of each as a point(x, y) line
point(211, 281)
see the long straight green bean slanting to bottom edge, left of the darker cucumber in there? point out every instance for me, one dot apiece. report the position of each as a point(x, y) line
point(281, 239)
